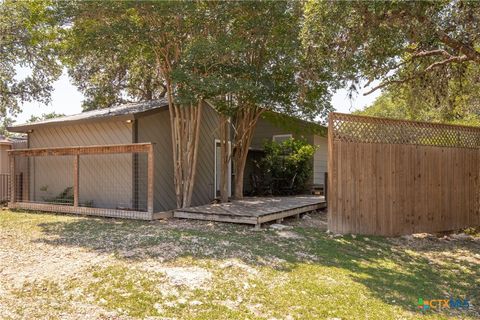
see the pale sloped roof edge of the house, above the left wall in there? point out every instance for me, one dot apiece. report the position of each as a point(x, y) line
point(120, 112)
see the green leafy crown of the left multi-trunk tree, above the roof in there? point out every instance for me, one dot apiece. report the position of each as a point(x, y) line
point(138, 46)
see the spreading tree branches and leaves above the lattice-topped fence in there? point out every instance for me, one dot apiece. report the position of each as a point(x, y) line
point(420, 44)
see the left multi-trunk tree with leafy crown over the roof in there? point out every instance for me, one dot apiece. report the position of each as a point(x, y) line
point(132, 43)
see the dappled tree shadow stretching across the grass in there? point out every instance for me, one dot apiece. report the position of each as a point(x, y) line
point(397, 272)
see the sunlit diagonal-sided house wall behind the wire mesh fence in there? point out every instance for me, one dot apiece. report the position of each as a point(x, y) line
point(105, 180)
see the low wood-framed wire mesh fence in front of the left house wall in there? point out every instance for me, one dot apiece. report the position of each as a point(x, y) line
point(106, 180)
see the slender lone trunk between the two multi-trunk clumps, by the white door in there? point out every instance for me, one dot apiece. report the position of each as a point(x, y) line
point(225, 157)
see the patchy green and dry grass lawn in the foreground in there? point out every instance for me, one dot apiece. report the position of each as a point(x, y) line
point(65, 267)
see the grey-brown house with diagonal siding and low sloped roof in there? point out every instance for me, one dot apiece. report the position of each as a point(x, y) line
point(120, 181)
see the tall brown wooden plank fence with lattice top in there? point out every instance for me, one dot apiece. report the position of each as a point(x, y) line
point(392, 177)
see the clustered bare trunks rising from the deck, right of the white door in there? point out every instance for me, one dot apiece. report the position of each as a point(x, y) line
point(245, 122)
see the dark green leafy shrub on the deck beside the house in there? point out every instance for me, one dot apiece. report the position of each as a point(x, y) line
point(287, 166)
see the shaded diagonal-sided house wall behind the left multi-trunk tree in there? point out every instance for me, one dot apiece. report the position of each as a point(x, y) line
point(156, 128)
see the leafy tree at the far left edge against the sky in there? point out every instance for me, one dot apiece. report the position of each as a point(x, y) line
point(28, 37)
